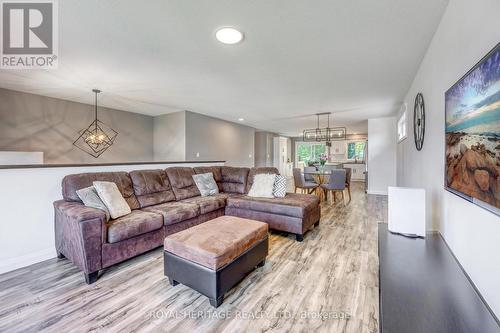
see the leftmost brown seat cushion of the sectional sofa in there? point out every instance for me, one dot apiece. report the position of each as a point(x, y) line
point(134, 224)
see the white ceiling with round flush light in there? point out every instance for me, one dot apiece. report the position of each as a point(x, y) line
point(299, 57)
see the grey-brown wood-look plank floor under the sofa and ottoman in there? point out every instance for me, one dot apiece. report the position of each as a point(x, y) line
point(327, 283)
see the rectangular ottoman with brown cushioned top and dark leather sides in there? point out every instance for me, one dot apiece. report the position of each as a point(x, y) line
point(214, 256)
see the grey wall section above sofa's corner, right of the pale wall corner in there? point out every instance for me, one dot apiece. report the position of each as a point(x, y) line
point(216, 139)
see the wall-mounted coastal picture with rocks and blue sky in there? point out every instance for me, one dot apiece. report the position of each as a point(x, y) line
point(472, 134)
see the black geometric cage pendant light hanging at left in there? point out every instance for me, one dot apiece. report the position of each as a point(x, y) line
point(98, 137)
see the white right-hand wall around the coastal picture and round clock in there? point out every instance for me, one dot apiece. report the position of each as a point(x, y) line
point(468, 30)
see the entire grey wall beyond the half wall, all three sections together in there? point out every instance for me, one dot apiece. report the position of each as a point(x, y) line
point(34, 123)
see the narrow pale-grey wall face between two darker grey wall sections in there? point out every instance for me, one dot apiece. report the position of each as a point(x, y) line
point(170, 137)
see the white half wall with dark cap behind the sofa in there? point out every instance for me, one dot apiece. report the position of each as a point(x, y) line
point(27, 214)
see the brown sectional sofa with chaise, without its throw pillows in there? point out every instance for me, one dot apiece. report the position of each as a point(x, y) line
point(164, 202)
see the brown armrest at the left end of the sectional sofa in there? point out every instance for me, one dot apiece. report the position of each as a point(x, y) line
point(78, 234)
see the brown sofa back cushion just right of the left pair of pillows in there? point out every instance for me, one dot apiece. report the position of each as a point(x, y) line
point(151, 187)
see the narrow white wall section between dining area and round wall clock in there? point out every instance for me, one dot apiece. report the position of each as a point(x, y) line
point(381, 154)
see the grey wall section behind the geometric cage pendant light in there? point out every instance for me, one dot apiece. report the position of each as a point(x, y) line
point(37, 123)
